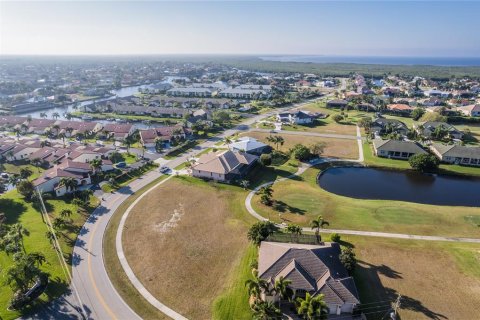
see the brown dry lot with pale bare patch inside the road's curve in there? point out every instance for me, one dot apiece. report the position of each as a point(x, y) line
point(182, 242)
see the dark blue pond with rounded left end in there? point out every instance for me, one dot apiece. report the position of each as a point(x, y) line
point(384, 184)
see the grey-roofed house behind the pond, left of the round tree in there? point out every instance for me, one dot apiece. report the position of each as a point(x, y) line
point(396, 149)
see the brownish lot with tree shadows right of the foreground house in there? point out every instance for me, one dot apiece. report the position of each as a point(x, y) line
point(437, 280)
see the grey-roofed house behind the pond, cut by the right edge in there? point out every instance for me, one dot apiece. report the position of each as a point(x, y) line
point(456, 154)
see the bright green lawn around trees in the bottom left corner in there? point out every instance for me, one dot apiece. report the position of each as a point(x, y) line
point(17, 210)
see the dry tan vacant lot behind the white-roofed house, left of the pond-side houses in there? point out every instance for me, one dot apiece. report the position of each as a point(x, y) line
point(338, 148)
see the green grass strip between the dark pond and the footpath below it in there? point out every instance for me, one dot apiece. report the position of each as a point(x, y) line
point(302, 199)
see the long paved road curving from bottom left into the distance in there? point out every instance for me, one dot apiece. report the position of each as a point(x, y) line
point(97, 298)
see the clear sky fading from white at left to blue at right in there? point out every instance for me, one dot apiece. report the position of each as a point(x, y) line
point(351, 28)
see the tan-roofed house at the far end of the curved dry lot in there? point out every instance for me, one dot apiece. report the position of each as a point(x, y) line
point(224, 166)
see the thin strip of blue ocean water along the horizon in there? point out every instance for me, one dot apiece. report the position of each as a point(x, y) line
point(433, 61)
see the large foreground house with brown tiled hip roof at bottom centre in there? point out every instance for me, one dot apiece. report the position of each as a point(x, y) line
point(315, 269)
